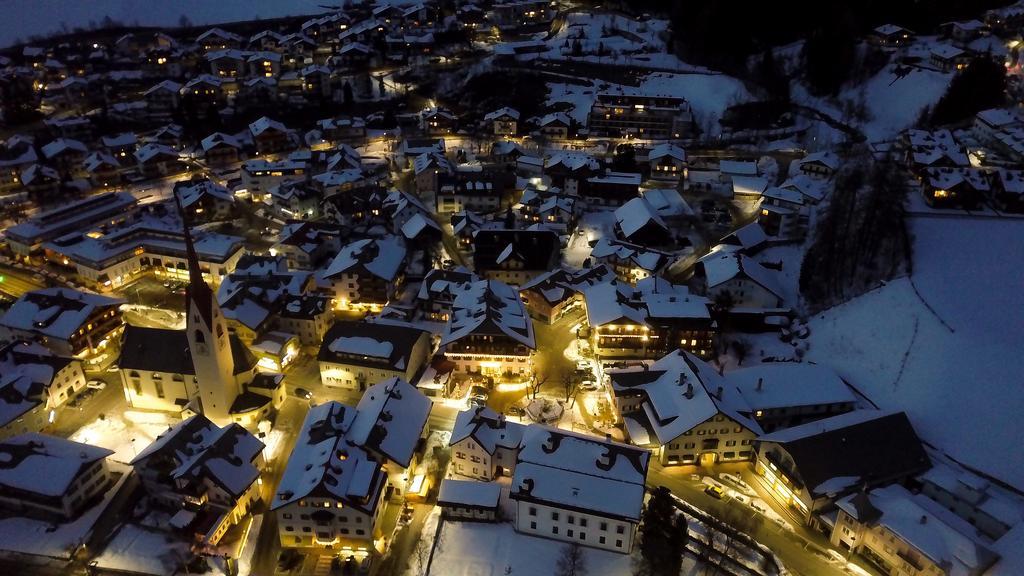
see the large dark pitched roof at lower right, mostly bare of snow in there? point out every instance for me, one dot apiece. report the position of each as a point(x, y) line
point(876, 447)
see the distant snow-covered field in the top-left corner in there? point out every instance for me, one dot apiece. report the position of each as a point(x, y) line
point(47, 17)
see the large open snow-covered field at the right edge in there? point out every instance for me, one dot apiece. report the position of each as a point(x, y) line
point(961, 384)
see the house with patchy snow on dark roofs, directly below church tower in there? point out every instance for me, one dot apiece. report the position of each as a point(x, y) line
point(209, 475)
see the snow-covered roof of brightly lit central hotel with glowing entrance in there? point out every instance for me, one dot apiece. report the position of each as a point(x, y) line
point(489, 307)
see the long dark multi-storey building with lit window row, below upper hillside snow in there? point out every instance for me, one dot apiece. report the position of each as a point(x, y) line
point(642, 116)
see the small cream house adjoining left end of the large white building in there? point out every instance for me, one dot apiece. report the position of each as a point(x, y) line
point(485, 445)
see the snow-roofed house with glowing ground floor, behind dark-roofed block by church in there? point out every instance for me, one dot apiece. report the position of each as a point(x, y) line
point(368, 273)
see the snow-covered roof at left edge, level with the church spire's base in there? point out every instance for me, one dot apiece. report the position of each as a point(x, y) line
point(57, 313)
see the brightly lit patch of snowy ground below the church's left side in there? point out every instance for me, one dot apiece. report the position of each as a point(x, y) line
point(126, 434)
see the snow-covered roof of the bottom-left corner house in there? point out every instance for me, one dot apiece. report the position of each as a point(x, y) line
point(48, 466)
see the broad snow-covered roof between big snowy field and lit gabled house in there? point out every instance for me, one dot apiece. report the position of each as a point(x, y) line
point(789, 385)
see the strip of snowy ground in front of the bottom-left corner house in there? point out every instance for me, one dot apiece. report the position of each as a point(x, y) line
point(42, 539)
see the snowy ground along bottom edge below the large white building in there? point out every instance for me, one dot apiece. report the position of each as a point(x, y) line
point(491, 550)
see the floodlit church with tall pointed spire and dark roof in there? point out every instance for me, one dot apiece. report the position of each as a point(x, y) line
point(203, 369)
